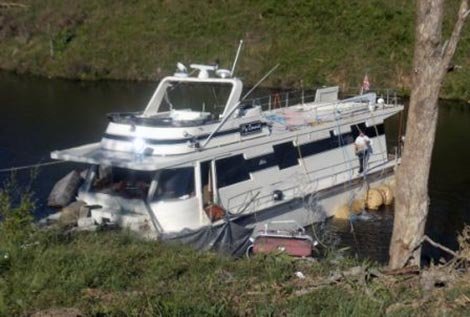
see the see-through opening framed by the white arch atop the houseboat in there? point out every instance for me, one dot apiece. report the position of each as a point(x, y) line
point(202, 97)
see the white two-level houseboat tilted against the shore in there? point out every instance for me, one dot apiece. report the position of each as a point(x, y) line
point(200, 155)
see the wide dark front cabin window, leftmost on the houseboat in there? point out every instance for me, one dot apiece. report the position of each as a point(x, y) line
point(122, 182)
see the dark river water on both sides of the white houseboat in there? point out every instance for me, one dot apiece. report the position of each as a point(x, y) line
point(40, 115)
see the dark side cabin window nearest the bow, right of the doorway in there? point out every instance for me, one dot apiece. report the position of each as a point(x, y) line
point(231, 170)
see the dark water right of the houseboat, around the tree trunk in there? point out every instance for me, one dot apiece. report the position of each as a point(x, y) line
point(449, 191)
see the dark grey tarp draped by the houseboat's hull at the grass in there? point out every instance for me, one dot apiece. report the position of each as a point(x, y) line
point(227, 238)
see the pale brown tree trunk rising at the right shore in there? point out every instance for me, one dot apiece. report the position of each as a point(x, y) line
point(431, 60)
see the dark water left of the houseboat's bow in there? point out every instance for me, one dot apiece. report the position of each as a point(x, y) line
point(38, 116)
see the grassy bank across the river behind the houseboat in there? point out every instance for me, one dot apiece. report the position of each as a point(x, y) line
point(318, 42)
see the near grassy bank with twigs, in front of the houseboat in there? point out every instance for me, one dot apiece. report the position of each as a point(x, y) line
point(115, 274)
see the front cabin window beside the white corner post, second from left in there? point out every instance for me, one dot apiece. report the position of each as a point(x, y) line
point(175, 183)
